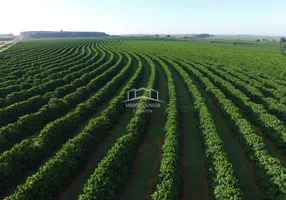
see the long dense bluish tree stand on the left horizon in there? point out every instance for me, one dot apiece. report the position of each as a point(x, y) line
point(54, 34)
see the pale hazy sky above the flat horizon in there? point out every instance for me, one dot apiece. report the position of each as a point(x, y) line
point(256, 17)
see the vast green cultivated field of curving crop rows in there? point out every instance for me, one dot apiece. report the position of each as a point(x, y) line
point(65, 132)
